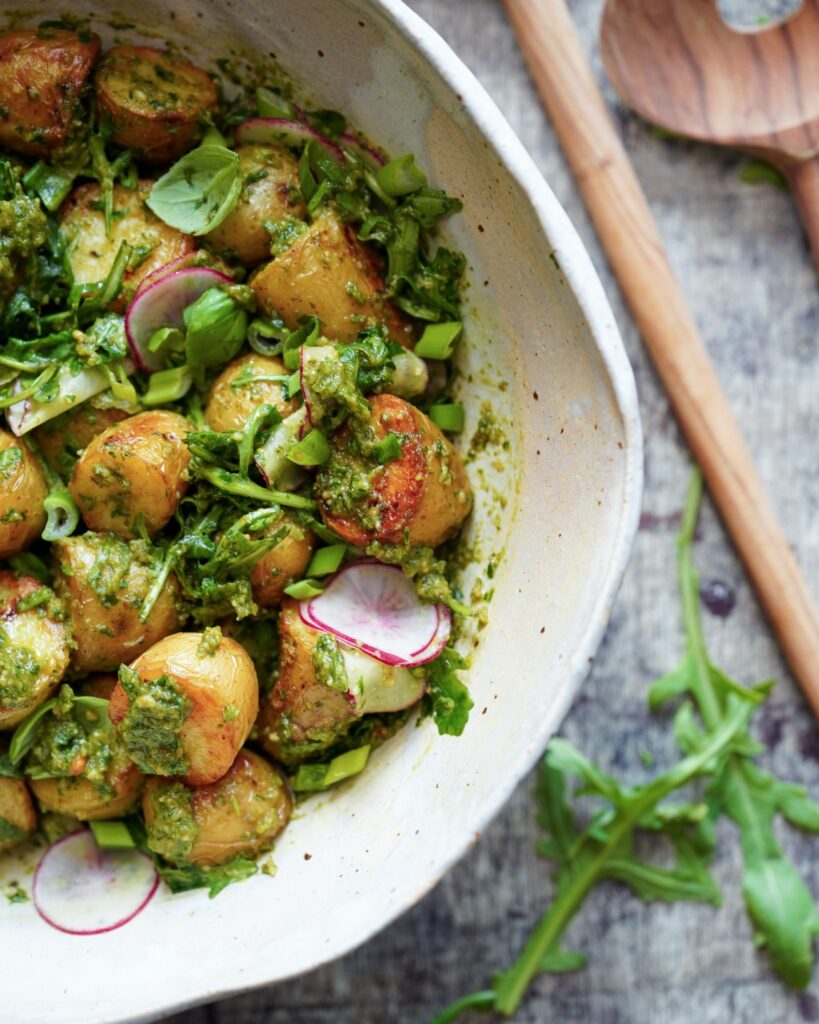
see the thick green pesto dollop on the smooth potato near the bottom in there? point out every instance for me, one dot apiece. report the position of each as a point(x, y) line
point(150, 732)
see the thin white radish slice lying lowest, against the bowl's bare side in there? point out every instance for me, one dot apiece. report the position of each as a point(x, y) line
point(82, 890)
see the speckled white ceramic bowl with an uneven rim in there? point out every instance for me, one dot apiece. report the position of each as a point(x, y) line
point(561, 504)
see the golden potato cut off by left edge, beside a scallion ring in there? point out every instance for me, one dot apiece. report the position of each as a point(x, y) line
point(23, 491)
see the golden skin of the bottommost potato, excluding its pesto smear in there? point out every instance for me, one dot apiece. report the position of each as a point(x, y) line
point(242, 814)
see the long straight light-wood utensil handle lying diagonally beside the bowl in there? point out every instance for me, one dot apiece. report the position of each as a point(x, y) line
point(630, 236)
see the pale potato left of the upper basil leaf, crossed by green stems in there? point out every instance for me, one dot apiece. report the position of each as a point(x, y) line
point(92, 251)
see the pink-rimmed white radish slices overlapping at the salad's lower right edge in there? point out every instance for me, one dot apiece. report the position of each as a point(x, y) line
point(375, 609)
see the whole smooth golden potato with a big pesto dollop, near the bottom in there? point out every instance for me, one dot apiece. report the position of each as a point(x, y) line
point(187, 706)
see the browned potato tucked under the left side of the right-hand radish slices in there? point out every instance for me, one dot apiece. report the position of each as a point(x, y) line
point(301, 717)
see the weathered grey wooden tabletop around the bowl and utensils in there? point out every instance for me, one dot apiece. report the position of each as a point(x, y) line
point(740, 253)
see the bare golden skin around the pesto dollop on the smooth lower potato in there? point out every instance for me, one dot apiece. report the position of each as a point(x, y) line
point(212, 682)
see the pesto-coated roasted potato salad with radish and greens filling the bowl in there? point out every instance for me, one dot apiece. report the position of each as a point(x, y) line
point(230, 498)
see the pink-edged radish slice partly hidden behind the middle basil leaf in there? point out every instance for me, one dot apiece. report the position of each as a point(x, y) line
point(162, 305)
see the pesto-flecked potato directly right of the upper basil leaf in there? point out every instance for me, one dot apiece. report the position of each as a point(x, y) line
point(271, 193)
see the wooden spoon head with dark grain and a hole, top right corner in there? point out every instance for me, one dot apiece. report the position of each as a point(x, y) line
point(681, 67)
